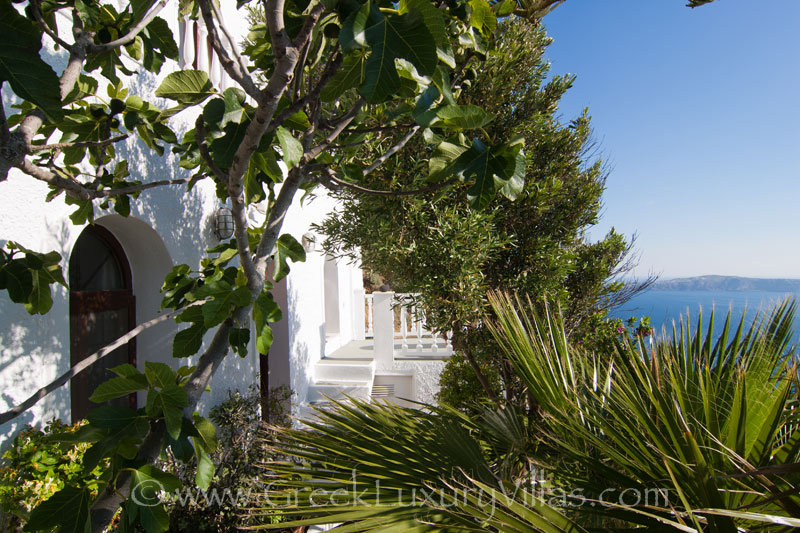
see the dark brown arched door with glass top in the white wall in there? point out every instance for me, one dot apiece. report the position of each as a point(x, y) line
point(102, 309)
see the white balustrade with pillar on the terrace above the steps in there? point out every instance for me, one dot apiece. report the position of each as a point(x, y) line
point(397, 327)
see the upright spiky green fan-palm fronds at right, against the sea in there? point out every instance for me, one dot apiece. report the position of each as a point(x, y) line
point(677, 415)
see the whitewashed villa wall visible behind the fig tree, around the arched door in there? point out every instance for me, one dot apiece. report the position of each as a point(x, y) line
point(167, 226)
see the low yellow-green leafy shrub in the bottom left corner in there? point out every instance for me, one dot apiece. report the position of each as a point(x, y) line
point(36, 466)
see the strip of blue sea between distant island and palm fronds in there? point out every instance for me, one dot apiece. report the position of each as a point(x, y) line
point(664, 307)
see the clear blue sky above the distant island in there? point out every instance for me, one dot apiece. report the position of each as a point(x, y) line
point(697, 112)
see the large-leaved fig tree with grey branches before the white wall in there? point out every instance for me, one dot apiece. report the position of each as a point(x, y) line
point(327, 92)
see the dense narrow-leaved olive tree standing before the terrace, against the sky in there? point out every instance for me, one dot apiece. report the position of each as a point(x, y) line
point(531, 242)
